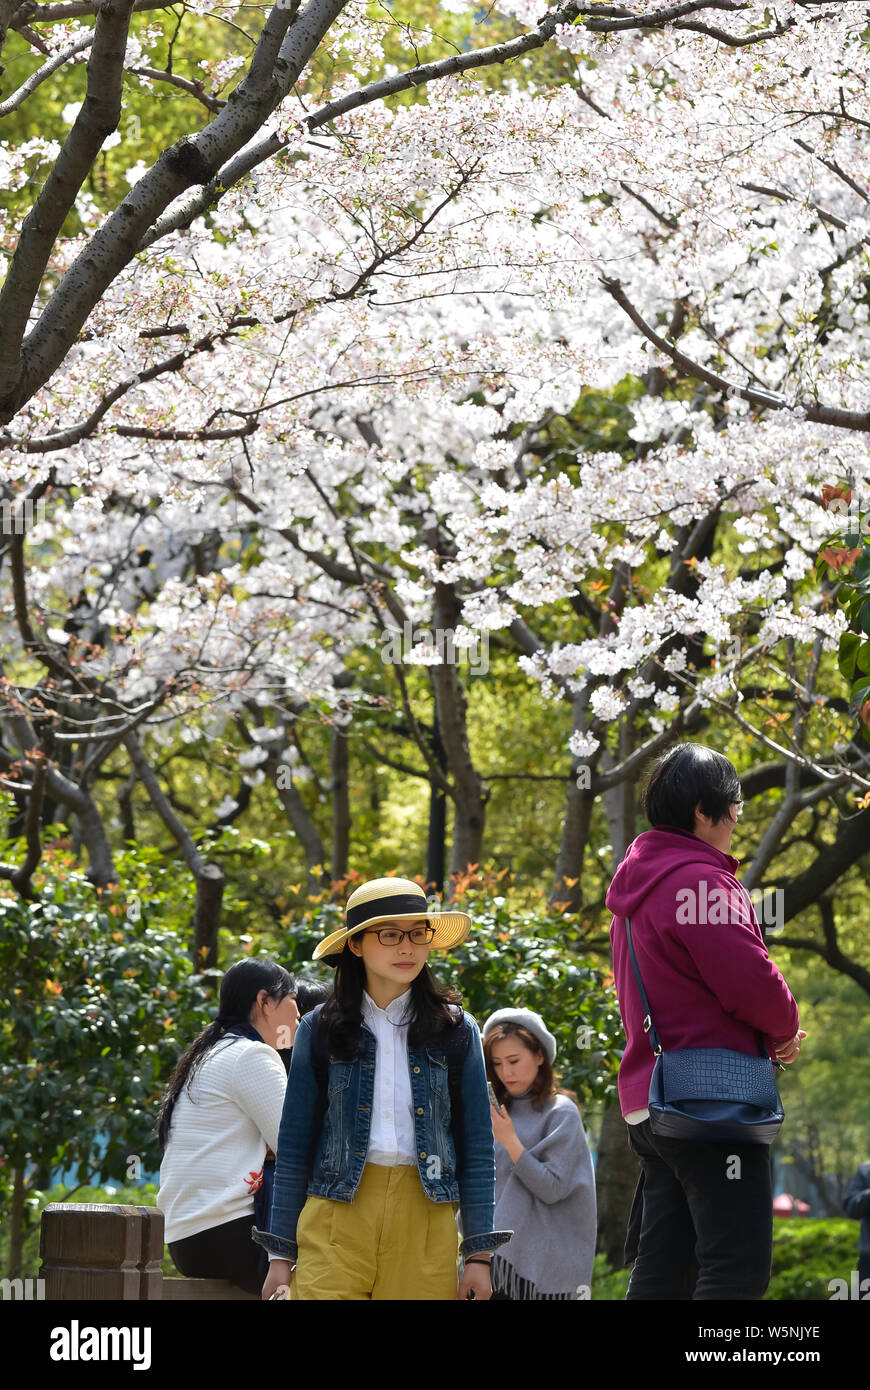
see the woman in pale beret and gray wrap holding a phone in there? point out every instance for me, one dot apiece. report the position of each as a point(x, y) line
point(545, 1182)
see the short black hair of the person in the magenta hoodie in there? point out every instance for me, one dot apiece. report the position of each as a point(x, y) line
point(686, 776)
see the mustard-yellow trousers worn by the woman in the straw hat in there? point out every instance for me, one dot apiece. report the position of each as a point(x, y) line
point(390, 1243)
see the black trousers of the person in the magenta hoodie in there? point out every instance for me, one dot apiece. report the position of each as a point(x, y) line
point(707, 1220)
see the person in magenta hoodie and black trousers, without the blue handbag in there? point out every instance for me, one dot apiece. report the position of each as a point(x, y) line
point(704, 1213)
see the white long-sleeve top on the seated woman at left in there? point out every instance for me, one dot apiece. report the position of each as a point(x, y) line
point(219, 1135)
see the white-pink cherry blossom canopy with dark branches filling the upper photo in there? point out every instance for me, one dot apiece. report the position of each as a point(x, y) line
point(523, 245)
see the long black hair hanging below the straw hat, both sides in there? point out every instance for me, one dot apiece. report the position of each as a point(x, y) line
point(343, 1013)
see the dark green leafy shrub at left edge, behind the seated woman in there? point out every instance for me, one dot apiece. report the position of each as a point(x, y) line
point(97, 1004)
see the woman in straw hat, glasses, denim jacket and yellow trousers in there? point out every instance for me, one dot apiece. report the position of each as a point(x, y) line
point(387, 1121)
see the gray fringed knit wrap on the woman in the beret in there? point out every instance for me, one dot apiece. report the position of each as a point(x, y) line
point(547, 1199)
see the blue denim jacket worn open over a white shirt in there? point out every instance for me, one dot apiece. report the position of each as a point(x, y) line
point(344, 1142)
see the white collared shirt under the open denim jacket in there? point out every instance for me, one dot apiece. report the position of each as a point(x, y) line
point(393, 1140)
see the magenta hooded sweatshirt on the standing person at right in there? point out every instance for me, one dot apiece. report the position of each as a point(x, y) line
point(709, 982)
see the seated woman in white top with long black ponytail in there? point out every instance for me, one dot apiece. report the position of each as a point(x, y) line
point(219, 1120)
